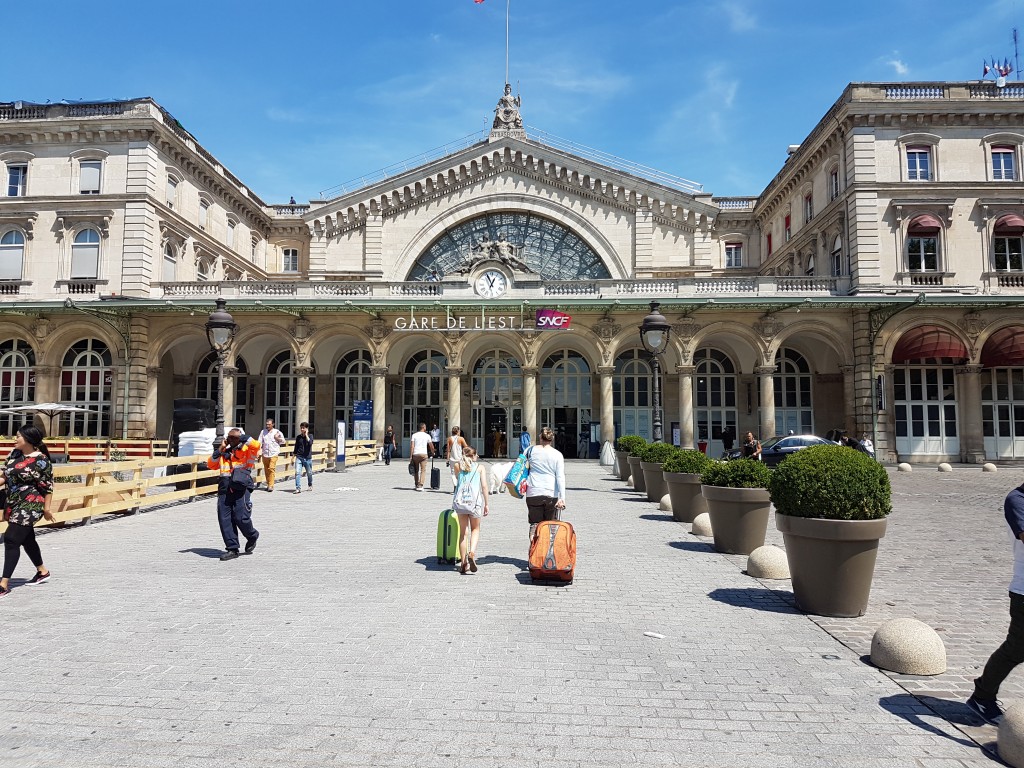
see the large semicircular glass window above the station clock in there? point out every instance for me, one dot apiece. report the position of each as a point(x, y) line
point(544, 246)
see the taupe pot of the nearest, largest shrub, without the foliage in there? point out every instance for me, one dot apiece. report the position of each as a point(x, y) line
point(832, 563)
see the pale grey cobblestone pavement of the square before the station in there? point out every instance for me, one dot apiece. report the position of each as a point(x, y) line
point(342, 643)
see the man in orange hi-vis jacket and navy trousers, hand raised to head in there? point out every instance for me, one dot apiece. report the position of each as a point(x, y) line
point(238, 452)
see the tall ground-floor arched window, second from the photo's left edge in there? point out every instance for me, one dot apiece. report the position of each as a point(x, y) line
point(87, 381)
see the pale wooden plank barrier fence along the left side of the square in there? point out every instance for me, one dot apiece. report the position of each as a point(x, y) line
point(87, 490)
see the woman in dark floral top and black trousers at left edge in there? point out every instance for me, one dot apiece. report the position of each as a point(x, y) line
point(28, 480)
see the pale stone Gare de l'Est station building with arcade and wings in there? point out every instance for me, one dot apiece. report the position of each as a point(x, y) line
point(874, 286)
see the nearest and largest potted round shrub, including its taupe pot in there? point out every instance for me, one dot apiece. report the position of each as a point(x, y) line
point(831, 506)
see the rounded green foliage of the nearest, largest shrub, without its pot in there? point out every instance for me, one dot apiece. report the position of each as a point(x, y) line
point(833, 483)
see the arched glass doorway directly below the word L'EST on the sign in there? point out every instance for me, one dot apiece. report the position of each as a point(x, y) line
point(497, 399)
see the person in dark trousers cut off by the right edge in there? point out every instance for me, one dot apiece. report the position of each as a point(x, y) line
point(1011, 654)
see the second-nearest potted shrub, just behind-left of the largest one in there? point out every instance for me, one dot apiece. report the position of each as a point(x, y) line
point(739, 504)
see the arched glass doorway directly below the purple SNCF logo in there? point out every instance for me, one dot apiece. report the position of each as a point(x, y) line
point(567, 401)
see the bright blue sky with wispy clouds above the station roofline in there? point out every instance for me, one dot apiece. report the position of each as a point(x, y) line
point(296, 99)
